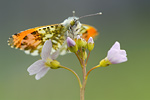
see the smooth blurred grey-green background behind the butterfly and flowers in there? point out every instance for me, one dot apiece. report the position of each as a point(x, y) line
point(126, 21)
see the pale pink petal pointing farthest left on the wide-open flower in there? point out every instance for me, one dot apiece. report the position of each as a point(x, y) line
point(35, 67)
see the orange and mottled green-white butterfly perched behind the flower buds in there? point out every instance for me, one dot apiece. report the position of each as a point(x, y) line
point(32, 40)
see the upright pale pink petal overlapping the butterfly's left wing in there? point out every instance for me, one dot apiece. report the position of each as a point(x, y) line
point(46, 50)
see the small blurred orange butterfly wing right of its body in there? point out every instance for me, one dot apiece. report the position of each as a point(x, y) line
point(88, 31)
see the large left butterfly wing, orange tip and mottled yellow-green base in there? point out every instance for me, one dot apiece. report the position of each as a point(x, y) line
point(32, 40)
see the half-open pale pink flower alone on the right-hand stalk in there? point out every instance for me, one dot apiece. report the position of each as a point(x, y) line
point(114, 56)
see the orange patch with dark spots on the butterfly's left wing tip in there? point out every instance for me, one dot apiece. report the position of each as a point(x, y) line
point(25, 40)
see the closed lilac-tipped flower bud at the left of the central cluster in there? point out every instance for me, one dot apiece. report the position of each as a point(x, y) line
point(71, 45)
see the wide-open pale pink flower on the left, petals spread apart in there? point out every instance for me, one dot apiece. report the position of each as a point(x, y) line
point(41, 67)
